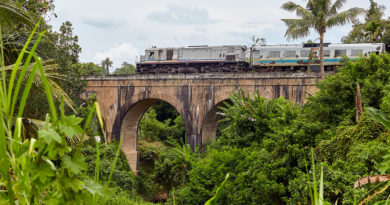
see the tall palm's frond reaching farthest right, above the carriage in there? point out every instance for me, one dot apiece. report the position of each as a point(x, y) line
point(344, 17)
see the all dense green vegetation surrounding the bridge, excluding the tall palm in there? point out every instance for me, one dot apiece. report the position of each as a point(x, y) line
point(264, 145)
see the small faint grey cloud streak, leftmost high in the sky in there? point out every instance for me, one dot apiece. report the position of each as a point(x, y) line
point(102, 22)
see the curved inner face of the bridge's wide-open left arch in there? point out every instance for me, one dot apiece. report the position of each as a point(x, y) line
point(129, 127)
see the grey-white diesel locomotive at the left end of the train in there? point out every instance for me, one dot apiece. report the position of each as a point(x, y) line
point(193, 59)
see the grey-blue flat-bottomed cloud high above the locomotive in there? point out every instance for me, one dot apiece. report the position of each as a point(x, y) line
point(181, 15)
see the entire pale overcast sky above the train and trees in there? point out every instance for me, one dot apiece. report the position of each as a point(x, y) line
point(122, 29)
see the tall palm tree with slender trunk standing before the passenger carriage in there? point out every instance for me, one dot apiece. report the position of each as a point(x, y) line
point(320, 15)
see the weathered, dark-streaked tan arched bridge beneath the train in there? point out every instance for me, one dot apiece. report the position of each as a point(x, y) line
point(124, 99)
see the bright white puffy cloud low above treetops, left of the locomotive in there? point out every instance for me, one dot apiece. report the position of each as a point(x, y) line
point(124, 52)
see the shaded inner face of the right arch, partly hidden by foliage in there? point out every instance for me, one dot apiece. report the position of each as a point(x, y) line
point(210, 122)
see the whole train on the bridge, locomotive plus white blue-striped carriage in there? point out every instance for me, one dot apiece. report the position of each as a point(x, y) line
point(260, 58)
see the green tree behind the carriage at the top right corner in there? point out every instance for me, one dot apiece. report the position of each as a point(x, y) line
point(374, 29)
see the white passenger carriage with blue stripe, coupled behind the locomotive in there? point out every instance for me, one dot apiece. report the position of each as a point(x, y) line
point(302, 56)
